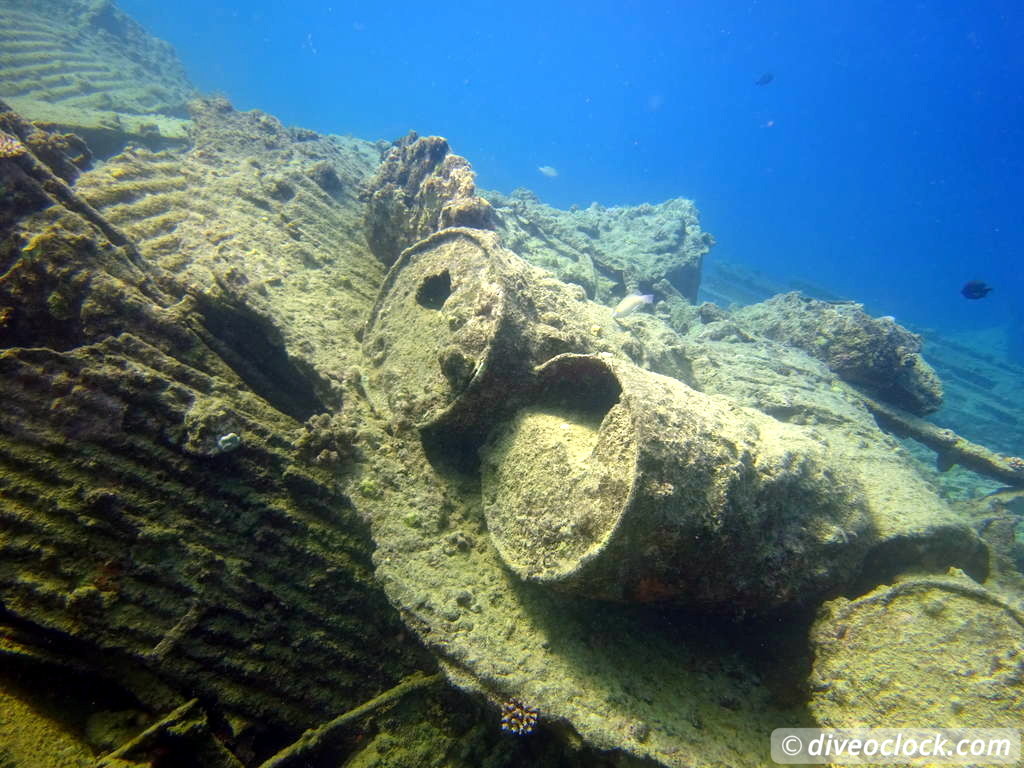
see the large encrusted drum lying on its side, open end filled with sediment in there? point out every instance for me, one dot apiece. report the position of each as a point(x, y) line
point(620, 484)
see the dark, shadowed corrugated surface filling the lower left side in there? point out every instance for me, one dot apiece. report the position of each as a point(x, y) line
point(157, 511)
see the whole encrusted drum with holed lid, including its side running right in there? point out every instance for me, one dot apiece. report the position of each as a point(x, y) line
point(459, 324)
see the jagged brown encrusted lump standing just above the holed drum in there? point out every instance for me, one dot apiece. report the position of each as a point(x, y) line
point(419, 189)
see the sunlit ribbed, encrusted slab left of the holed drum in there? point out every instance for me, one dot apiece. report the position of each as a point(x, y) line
point(267, 222)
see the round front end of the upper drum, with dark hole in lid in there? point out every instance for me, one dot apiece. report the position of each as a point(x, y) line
point(446, 325)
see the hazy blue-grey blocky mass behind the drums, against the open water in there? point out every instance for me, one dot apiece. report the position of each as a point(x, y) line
point(610, 251)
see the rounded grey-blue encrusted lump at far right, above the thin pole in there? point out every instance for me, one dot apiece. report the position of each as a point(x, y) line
point(876, 354)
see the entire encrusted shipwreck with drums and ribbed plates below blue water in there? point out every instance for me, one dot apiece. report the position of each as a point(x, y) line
point(313, 452)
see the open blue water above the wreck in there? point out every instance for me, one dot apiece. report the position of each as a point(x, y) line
point(883, 161)
